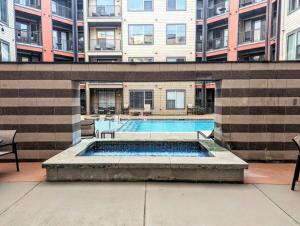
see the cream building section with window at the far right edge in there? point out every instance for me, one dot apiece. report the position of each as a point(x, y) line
point(290, 30)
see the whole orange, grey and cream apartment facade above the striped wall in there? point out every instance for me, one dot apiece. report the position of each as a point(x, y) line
point(147, 30)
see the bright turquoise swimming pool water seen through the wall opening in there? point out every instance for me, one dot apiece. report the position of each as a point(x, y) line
point(156, 125)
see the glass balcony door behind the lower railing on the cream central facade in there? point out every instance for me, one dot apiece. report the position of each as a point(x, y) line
point(106, 39)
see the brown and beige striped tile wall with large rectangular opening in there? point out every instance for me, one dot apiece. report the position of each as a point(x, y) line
point(257, 104)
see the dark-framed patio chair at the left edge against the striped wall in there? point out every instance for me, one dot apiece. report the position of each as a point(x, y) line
point(8, 144)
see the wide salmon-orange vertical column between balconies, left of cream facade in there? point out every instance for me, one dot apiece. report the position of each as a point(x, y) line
point(48, 55)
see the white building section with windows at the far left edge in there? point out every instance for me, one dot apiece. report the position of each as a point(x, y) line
point(7, 32)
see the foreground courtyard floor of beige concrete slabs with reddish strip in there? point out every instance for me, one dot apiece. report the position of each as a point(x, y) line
point(266, 200)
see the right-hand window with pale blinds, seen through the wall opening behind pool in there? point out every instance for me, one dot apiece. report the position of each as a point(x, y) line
point(175, 99)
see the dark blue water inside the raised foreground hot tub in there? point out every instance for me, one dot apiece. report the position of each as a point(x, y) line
point(146, 148)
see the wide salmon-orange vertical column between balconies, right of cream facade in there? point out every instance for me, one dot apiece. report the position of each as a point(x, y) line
point(233, 29)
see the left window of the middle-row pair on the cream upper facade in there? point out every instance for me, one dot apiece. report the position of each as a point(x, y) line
point(140, 34)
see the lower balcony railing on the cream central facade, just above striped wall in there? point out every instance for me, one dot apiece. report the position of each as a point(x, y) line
point(104, 44)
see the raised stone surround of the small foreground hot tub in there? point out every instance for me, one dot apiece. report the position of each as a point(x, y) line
point(222, 167)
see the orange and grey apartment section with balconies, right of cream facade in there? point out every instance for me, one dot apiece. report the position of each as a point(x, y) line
point(231, 30)
